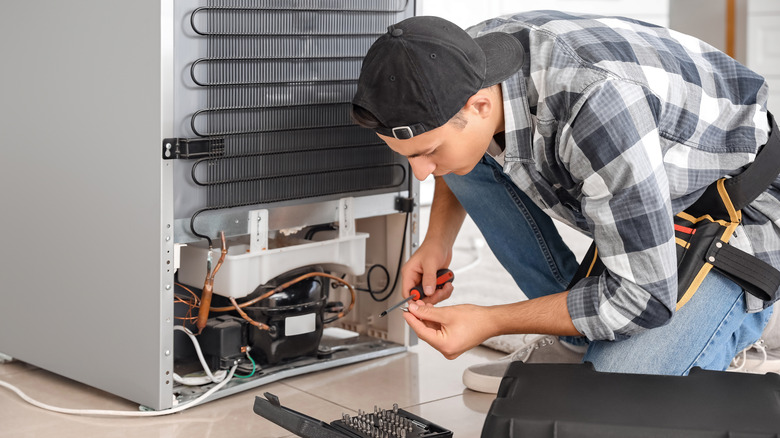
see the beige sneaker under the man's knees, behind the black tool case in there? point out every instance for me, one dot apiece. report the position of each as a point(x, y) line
point(486, 377)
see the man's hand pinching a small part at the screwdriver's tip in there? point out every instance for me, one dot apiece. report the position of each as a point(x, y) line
point(452, 330)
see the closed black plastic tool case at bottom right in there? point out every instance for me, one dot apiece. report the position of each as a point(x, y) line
point(574, 400)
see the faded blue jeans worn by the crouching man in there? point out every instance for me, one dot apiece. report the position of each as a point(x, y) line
point(707, 332)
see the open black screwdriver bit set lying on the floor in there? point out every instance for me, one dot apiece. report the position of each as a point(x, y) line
point(381, 423)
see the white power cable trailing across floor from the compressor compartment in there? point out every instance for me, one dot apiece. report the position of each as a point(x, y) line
point(221, 380)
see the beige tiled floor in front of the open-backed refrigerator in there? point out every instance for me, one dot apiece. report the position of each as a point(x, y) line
point(420, 380)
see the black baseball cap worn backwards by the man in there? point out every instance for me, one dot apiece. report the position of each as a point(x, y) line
point(422, 71)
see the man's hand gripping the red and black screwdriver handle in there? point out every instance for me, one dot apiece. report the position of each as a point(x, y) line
point(422, 267)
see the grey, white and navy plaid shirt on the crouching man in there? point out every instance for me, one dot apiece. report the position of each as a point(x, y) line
point(612, 127)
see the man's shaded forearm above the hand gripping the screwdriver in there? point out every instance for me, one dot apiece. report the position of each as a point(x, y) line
point(447, 215)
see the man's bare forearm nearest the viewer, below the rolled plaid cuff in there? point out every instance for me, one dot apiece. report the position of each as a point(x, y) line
point(543, 315)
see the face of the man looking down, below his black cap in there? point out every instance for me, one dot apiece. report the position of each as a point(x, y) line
point(446, 149)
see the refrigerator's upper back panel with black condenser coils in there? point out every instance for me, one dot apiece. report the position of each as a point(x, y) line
point(267, 86)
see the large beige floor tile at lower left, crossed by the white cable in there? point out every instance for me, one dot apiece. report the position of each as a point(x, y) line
point(231, 416)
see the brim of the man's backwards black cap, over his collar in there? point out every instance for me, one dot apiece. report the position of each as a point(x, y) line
point(503, 56)
